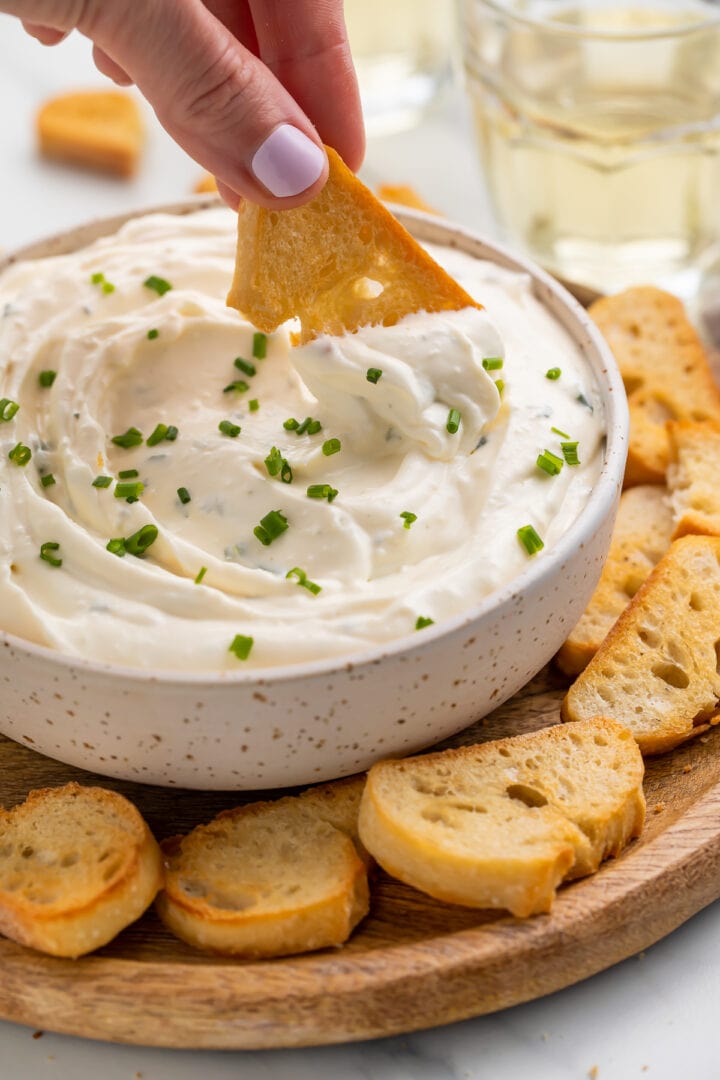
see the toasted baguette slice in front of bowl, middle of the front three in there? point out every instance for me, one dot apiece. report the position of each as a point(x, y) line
point(269, 879)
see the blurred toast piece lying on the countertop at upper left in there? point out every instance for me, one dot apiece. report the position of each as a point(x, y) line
point(98, 129)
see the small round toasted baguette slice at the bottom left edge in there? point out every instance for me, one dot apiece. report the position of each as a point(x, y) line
point(77, 867)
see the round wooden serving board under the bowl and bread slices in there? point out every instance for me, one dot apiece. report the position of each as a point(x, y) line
point(414, 963)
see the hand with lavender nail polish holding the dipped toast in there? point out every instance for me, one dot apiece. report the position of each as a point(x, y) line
point(251, 89)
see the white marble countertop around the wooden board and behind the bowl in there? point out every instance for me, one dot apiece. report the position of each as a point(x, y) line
point(655, 1015)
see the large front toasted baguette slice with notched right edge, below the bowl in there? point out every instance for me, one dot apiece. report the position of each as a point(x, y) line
point(502, 823)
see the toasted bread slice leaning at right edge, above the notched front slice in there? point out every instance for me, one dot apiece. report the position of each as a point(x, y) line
point(657, 672)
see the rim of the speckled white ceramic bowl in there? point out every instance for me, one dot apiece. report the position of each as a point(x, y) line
point(432, 229)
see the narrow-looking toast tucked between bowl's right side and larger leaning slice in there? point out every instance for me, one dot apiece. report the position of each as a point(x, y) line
point(642, 536)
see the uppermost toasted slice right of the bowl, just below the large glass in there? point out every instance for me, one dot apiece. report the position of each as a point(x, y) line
point(665, 370)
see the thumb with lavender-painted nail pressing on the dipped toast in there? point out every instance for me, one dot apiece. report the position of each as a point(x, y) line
point(215, 98)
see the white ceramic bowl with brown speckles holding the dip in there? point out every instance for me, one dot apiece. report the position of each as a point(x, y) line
point(314, 722)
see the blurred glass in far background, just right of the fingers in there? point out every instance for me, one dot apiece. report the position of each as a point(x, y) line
point(402, 51)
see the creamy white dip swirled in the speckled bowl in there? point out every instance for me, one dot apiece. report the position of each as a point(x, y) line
point(470, 492)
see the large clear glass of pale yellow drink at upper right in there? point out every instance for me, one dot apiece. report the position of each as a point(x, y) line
point(600, 132)
